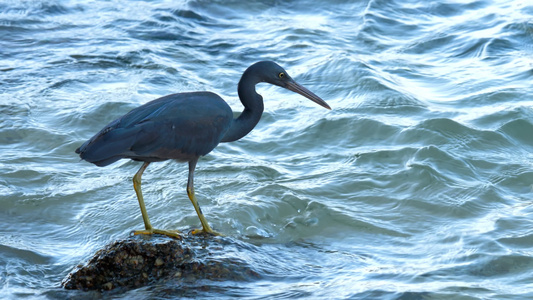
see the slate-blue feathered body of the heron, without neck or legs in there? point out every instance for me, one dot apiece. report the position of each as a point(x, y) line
point(151, 132)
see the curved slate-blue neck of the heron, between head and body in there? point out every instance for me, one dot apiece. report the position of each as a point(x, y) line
point(253, 109)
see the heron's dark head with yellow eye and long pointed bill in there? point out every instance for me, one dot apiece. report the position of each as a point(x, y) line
point(272, 73)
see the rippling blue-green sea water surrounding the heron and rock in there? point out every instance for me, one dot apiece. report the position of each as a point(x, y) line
point(418, 184)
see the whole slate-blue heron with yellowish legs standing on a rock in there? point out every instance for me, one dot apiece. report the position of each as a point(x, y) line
point(184, 127)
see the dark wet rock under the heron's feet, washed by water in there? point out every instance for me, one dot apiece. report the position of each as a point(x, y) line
point(143, 260)
